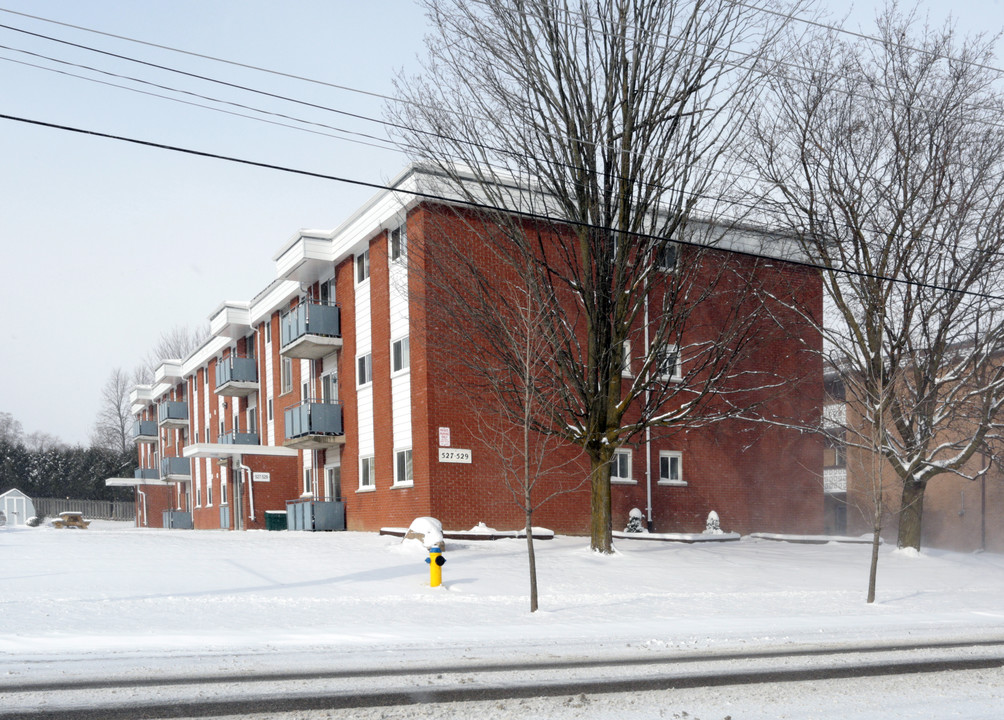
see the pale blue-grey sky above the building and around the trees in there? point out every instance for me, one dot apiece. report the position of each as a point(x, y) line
point(106, 246)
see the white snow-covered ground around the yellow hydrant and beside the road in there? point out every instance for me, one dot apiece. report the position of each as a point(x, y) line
point(119, 601)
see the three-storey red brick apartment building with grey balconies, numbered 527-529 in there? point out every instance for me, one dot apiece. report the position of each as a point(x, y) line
point(322, 397)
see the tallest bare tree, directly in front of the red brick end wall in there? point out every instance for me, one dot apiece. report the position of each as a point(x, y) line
point(613, 119)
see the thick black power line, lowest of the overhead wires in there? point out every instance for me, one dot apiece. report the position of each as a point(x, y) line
point(483, 206)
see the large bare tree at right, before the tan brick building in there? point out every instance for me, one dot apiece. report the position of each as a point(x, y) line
point(886, 161)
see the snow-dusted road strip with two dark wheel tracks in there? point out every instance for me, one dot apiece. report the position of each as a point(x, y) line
point(187, 696)
